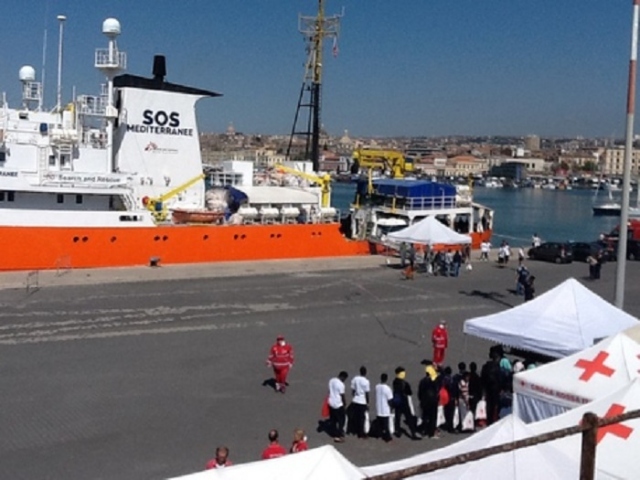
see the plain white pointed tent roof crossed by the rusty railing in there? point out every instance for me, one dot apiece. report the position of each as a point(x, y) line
point(522, 464)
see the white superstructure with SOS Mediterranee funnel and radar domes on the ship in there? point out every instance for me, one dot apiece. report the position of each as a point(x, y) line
point(98, 159)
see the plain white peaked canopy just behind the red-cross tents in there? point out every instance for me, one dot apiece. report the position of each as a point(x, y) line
point(560, 322)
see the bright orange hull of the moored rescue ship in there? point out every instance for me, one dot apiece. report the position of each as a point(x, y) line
point(41, 248)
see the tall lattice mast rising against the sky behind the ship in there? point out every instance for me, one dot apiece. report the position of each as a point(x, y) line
point(314, 29)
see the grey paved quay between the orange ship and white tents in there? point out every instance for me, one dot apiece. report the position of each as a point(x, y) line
point(140, 373)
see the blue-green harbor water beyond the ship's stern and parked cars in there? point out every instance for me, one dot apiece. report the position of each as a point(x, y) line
point(555, 215)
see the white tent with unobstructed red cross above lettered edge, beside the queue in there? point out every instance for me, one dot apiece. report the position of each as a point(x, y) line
point(580, 378)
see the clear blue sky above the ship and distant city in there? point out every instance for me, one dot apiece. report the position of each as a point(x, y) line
point(410, 67)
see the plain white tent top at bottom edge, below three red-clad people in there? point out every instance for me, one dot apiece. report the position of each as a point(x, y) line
point(315, 464)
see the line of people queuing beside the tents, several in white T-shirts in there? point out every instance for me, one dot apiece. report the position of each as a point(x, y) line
point(447, 401)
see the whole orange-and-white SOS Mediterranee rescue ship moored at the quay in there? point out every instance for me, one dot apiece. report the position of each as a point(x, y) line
point(117, 179)
